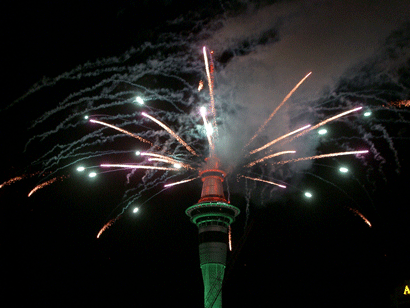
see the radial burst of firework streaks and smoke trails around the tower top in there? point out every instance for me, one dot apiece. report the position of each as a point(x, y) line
point(257, 137)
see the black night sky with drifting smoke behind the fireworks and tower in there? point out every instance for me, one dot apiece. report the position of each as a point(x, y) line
point(68, 59)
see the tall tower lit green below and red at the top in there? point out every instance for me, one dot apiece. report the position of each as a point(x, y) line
point(213, 216)
